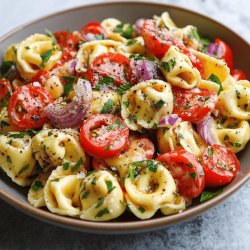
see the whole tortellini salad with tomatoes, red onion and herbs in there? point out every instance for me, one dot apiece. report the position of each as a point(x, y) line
point(122, 118)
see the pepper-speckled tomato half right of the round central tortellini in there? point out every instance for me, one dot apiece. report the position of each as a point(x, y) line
point(193, 104)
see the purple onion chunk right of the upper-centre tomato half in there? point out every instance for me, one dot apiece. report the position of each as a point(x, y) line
point(146, 70)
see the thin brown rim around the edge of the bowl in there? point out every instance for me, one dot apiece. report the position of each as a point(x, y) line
point(130, 226)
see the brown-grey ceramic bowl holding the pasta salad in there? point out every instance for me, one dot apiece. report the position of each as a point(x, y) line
point(127, 11)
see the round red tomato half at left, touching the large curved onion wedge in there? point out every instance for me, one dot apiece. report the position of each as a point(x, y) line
point(26, 106)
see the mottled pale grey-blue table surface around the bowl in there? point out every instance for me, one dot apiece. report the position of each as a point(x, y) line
point(226, 226)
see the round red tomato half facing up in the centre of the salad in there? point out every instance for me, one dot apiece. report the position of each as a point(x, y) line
point(104, 135)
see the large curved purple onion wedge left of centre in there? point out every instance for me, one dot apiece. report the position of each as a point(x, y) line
point(66, 115)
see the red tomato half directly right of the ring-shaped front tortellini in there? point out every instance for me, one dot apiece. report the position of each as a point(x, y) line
point(186, 171)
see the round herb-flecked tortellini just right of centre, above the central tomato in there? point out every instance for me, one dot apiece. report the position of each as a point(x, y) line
point(145, 103)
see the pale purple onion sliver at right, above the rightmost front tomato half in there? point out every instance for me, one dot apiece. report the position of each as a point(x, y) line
point(204, 128)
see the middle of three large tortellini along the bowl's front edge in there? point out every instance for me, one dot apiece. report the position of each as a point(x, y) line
point(101, 197)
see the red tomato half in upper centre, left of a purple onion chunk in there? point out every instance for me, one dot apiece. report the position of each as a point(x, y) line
point(112, 65)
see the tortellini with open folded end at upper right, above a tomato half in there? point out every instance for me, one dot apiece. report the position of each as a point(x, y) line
point(178, 69)
